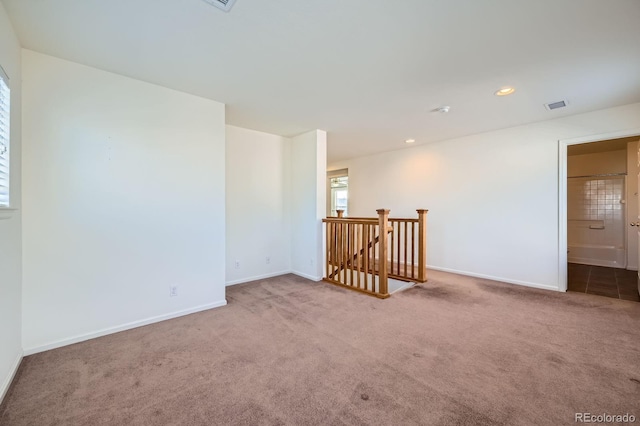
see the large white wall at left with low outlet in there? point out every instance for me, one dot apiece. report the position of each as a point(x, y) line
point(124, 197)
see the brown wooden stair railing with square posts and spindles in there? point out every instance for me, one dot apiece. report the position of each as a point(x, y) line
point(354, 248)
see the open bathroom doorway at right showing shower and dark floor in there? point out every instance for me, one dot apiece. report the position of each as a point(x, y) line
point(601, 219)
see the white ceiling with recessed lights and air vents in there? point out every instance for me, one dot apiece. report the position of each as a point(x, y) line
point(370, 72)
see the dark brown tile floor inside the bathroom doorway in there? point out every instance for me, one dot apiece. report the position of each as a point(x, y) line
point(602, 281)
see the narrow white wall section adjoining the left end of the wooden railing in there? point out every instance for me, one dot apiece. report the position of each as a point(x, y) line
point(308, 203)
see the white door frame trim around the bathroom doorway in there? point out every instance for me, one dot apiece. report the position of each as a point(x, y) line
point(562, 192)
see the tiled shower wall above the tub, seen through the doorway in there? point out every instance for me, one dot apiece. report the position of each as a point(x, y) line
point(596, 211)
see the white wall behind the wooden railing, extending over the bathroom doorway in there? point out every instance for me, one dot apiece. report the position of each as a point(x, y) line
point(492, 197)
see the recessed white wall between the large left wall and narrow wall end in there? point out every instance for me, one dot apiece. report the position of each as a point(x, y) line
point(257, 205)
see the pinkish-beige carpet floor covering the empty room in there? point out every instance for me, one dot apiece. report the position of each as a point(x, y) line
point(287, 351)
